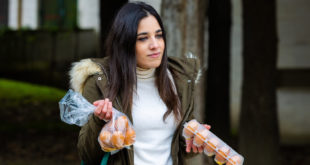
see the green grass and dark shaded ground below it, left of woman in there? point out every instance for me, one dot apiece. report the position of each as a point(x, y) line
point(30, 125)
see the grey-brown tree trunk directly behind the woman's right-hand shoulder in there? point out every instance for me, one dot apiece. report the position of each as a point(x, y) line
point(184, 25)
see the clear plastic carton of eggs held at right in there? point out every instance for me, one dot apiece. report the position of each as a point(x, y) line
point(211, 143)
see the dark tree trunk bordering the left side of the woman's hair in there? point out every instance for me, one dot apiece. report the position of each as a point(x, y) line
point(108, 10)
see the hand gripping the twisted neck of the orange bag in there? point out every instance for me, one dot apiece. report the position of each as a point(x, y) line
point(103, 109)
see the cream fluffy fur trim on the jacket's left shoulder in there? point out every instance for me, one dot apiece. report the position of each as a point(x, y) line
point(82, 71)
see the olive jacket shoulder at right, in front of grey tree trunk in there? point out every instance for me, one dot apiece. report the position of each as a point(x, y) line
point(188, 66)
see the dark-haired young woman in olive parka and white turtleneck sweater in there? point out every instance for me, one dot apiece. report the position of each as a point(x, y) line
point(138, 78)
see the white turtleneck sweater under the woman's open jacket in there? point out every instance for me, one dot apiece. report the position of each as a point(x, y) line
point(153, 135)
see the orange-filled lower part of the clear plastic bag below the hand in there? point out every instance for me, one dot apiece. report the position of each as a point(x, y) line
point(117, 133)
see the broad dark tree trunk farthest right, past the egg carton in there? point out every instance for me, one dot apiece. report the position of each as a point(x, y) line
point(258, 133)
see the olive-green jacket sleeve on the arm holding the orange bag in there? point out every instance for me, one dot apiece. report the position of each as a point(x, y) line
point(88, 147)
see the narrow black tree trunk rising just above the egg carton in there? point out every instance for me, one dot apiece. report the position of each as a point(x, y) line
point(218, 81)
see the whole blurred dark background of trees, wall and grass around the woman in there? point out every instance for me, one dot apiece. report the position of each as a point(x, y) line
point(254, 91)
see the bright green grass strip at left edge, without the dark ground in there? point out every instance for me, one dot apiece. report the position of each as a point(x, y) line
point(16, 90)
